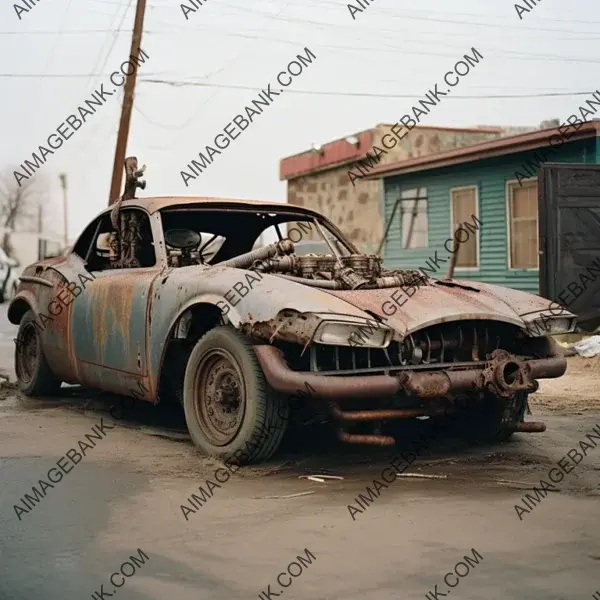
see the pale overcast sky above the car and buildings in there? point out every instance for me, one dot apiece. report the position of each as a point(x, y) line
point(392, 48)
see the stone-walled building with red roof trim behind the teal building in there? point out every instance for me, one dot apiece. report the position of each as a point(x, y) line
point(319, 178)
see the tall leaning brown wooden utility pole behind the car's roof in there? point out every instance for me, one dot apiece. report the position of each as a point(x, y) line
point(123, 135)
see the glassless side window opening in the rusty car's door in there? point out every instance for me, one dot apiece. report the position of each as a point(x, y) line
point(133, 249)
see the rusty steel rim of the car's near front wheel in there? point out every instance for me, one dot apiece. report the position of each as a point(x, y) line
point(219, 396)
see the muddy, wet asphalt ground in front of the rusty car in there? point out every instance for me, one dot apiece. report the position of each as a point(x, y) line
point(126, 493)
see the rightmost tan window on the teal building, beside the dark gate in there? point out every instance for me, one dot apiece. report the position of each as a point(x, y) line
point(523, 225)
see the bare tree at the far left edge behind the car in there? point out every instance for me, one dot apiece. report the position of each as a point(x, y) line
point(18, 207)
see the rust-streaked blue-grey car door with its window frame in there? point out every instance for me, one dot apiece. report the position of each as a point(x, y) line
point(109, 319)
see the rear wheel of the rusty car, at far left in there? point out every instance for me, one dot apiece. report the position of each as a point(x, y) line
point(34, 376)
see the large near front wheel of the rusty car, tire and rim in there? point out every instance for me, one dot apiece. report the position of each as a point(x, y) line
point(223, 376)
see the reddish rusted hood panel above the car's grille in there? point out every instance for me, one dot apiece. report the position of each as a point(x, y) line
point(442, 302)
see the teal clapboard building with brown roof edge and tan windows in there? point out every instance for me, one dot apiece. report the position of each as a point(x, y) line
point(491, 185)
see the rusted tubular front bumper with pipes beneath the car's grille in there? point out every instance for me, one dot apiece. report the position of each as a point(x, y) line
point(503, 375)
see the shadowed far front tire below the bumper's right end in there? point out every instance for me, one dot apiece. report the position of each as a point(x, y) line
point(492, 420)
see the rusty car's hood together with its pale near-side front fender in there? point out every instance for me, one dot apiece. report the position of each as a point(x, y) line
point(266, 303)
